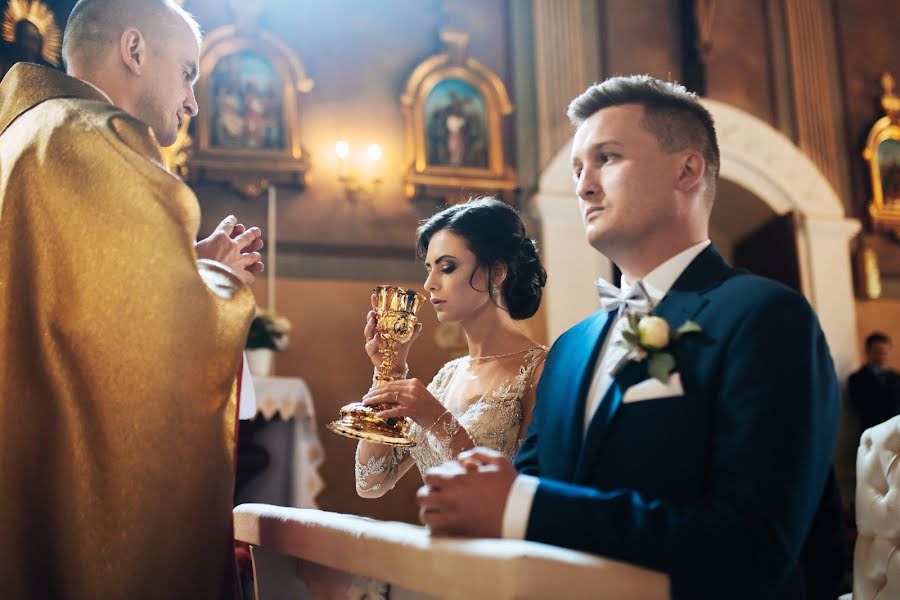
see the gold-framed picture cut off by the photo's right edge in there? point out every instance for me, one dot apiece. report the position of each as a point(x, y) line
point(882, 152)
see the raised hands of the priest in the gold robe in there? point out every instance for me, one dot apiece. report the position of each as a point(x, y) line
point(235, 246)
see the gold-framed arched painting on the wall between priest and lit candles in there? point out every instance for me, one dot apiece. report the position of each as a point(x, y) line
point(247, 132)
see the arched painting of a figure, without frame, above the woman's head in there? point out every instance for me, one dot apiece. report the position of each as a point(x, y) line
point(456, 132)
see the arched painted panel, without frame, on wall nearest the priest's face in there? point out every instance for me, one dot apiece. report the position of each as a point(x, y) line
point(246, 101)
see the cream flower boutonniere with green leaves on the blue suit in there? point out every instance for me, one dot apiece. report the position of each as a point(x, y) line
point(649, 337)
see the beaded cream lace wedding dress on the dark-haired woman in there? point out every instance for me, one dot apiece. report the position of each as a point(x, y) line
point(484, 396)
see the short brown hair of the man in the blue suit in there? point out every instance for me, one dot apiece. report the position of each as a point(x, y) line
point(672, 114)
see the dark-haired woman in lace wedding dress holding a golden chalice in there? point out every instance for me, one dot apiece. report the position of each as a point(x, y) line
point(484, 273)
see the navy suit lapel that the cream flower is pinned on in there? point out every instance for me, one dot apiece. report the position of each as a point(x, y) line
point(683, 302)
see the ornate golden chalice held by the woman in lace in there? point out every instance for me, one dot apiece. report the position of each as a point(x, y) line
point(395, 322)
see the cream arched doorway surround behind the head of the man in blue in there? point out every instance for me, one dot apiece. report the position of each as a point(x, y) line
point(758, 159)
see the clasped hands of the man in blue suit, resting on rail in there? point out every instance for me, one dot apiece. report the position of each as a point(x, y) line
point(467, 497)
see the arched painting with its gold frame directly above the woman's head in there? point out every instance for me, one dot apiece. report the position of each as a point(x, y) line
point(454, 108)
